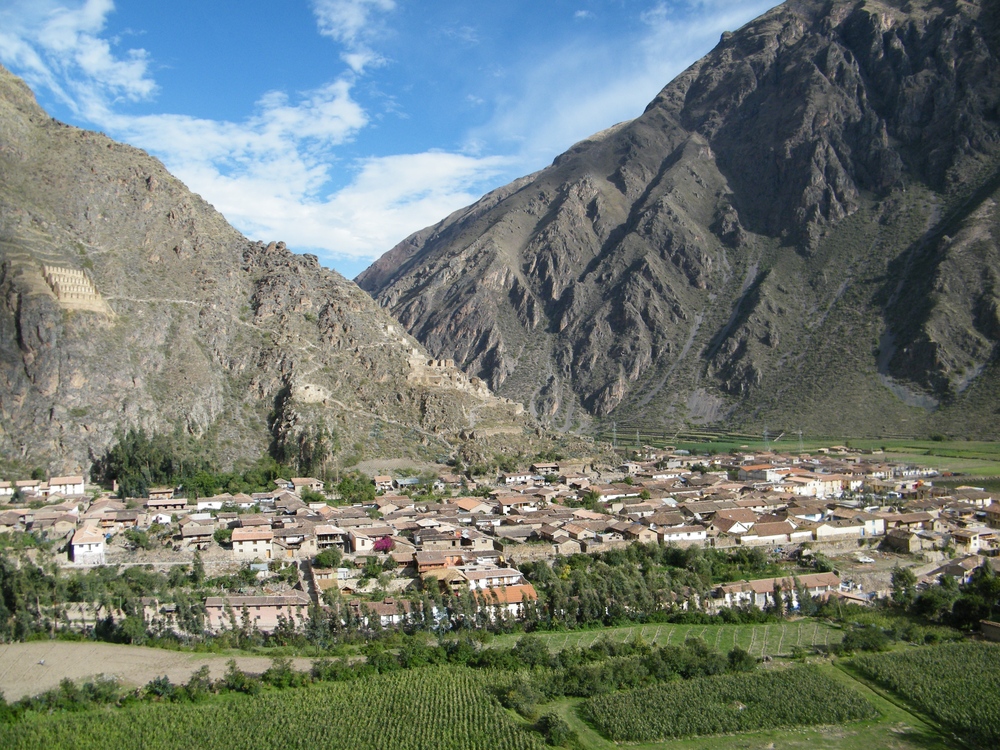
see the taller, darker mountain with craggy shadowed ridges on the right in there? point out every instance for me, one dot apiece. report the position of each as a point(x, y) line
point(800, 230)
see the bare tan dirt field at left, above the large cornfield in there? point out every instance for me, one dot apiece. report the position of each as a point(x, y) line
point(31, 668)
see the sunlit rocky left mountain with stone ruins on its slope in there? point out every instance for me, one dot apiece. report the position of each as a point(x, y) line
point(126, 302)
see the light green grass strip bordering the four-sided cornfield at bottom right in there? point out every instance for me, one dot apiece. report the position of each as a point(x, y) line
point(895, 729)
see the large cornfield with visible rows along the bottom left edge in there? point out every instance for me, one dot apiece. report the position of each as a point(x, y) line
point(446, 708)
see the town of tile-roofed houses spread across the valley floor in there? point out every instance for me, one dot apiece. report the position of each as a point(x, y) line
point(454, 535)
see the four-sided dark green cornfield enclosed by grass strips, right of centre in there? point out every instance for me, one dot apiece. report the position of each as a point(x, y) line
point(726, 704)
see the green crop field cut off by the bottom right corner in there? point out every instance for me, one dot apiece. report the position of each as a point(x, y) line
point(956, 684)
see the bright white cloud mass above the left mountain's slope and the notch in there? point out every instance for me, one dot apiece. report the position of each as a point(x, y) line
point(270, 174)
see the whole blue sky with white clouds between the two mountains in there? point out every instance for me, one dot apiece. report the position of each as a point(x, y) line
point(342, 126)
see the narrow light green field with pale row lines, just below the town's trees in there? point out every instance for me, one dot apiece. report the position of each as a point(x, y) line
point(773, 639)
